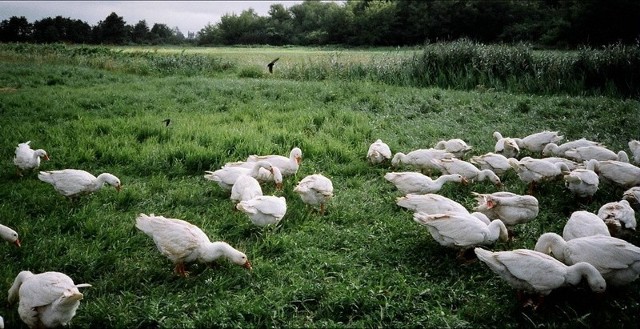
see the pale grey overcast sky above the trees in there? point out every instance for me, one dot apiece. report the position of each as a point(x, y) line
point(188, 16)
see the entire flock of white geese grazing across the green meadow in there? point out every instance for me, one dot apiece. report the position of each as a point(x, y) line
point(586, 248)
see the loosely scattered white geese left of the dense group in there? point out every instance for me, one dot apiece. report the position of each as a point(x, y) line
point(51, 299)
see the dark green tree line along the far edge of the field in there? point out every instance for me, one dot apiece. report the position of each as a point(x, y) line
point(547, 23)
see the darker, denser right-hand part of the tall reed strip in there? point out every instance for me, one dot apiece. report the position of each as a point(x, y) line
point(463, 64)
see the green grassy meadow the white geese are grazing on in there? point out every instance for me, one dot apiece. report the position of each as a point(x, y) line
point(365, 263)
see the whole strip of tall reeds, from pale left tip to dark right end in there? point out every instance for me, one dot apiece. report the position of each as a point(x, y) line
point(611, 71)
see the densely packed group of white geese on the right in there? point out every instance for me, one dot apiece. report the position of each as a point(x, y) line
point(586, 249)
